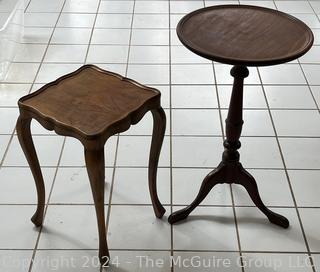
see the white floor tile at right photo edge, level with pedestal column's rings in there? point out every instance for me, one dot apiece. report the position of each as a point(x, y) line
point(299, 152)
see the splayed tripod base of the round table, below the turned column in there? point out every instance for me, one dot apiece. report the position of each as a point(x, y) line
point(230, 172)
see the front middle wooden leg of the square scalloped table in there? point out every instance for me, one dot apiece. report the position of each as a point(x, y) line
point(96, 172)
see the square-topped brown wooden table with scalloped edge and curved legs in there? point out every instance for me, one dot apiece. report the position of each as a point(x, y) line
point(91, 105)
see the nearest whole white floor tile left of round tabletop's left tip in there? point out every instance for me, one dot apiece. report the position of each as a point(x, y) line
point(150, 37)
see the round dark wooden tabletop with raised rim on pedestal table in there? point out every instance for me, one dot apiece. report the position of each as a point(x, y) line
point(244, 35)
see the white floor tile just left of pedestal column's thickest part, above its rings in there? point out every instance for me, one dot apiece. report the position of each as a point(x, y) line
point(196, 122)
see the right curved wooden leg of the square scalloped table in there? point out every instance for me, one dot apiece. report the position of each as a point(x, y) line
point(159, 127)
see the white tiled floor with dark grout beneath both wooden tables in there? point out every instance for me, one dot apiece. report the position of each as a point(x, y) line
point(137, 39)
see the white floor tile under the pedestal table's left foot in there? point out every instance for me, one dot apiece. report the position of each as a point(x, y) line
point(206, 229)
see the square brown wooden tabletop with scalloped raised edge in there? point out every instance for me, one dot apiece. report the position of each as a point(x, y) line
point(91, 102)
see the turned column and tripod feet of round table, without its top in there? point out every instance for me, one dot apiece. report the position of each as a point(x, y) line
point(230, 169)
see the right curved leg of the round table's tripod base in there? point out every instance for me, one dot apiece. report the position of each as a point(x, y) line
point(248, 181)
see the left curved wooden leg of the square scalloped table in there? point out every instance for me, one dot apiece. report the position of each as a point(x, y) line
point(25, 139)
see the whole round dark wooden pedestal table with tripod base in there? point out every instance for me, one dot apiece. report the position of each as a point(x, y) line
point(242, 36)
